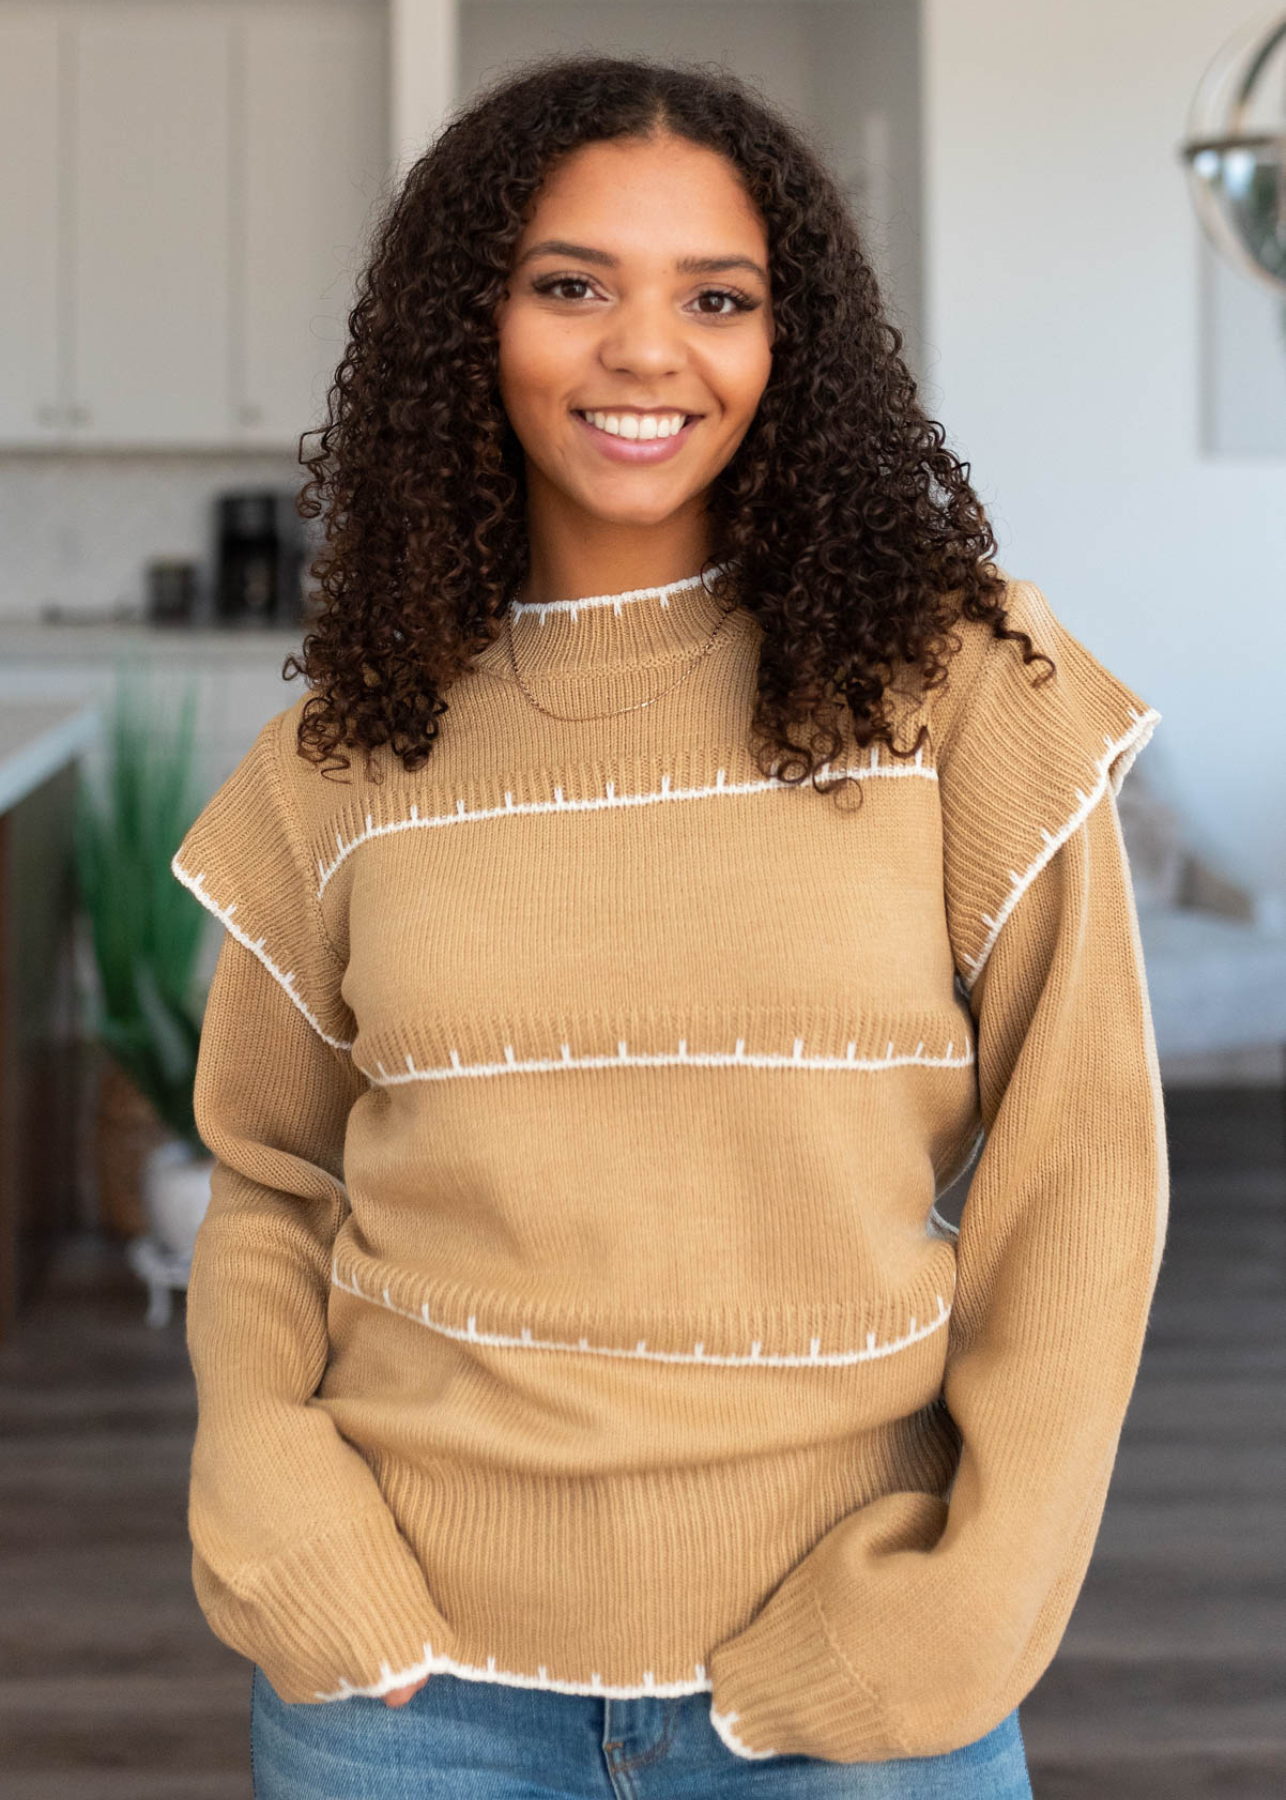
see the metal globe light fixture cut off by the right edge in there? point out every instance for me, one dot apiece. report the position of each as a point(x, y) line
point(1236, 152)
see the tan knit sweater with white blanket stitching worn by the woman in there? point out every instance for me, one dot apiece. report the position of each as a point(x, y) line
point(574, 1309)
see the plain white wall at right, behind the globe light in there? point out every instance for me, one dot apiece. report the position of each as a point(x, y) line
point(1064, 357)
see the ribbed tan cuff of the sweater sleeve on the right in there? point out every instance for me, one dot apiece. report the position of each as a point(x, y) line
point(781, 1689)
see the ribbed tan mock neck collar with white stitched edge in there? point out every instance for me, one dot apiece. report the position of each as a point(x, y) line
point(633, 629)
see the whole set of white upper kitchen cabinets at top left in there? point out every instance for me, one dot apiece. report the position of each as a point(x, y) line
point(185, 193)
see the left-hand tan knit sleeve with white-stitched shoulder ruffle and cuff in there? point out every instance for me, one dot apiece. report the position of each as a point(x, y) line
point(298, 1561)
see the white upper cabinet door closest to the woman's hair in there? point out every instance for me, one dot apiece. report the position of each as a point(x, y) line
point(311, 168)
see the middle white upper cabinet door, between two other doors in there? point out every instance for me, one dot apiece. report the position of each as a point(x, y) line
point(150, 269)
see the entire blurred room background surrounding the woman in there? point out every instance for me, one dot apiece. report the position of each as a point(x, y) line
point(1080, 222)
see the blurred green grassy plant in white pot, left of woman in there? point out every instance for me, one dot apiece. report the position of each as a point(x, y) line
point(147, 935)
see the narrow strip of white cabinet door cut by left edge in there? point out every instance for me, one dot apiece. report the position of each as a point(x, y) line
point(32, 402)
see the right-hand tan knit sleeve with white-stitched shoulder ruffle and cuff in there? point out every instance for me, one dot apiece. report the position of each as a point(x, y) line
point(923, 1619)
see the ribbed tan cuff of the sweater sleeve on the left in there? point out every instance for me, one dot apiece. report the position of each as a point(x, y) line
point(345, 1614)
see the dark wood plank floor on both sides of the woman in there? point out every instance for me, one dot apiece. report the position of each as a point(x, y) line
point(1170, 1684)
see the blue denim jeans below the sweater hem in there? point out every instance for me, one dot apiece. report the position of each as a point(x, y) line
point(462, 1740)
